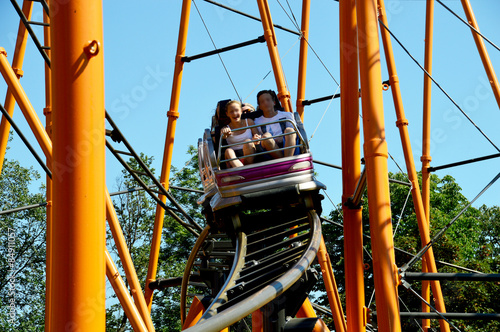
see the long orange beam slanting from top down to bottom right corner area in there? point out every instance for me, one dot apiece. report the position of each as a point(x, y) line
point(402, 124)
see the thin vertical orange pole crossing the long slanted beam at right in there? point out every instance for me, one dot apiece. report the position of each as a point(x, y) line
point(426, 139)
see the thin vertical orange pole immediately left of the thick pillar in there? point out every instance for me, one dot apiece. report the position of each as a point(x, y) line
point(47, 111)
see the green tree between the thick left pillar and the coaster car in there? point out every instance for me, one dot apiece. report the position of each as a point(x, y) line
point(136, 212)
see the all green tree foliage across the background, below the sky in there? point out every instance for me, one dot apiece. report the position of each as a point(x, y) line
point(473, 242)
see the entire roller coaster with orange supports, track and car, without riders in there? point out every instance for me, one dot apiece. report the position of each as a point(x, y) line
point(254, 258)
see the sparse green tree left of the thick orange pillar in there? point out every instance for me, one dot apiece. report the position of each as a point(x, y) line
point(22, 251)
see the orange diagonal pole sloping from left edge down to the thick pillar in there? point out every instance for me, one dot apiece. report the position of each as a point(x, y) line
point(24, 104)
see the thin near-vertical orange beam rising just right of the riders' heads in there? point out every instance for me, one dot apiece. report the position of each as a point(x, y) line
point(301, 86)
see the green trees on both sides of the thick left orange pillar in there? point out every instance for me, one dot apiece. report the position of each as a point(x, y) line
point(136, 212)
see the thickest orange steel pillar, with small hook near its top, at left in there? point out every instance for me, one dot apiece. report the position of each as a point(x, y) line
point(78, 284)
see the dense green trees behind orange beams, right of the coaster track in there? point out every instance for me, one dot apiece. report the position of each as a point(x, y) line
point(473, 242)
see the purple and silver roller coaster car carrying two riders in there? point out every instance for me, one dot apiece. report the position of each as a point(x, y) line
point(256, 182)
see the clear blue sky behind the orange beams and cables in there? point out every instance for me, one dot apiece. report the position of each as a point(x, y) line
point(140, 43)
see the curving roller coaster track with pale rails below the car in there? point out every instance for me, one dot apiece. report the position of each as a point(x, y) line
point(268, 253)
